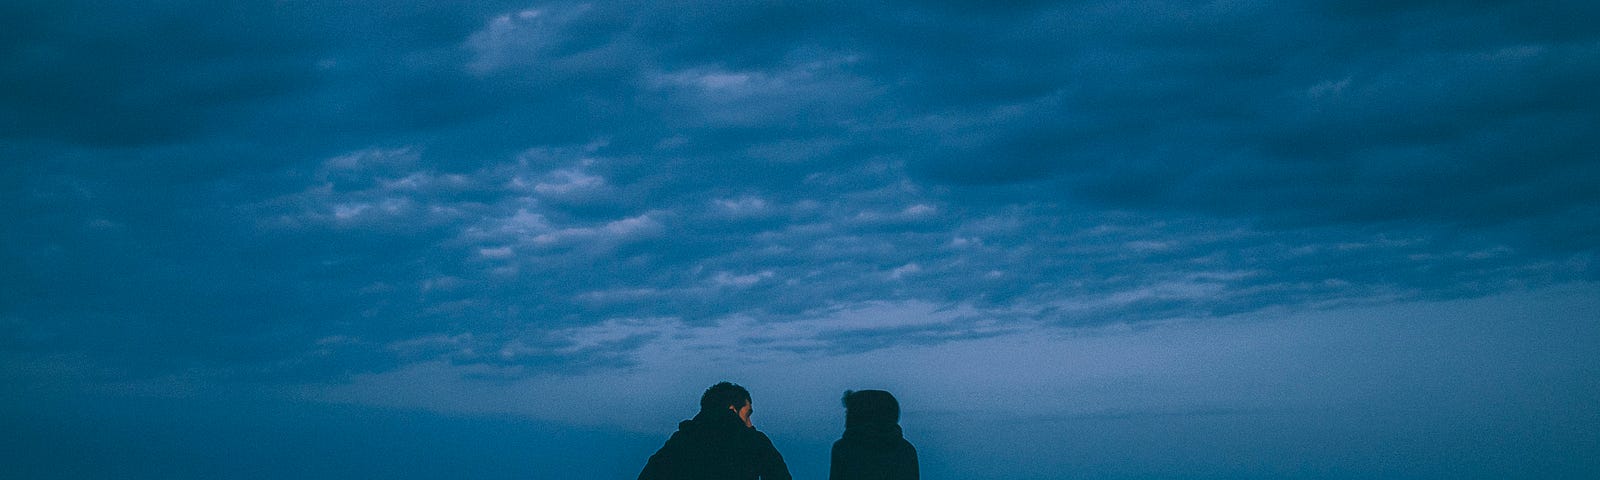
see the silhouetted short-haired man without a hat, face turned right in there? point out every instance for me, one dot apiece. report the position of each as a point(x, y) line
point(719, 444)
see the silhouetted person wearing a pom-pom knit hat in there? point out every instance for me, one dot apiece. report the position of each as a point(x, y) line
point(873, 447)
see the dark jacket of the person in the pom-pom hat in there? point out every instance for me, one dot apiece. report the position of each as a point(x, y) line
point(874, 452)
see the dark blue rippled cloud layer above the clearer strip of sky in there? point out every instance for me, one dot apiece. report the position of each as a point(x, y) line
point(306, 193)
